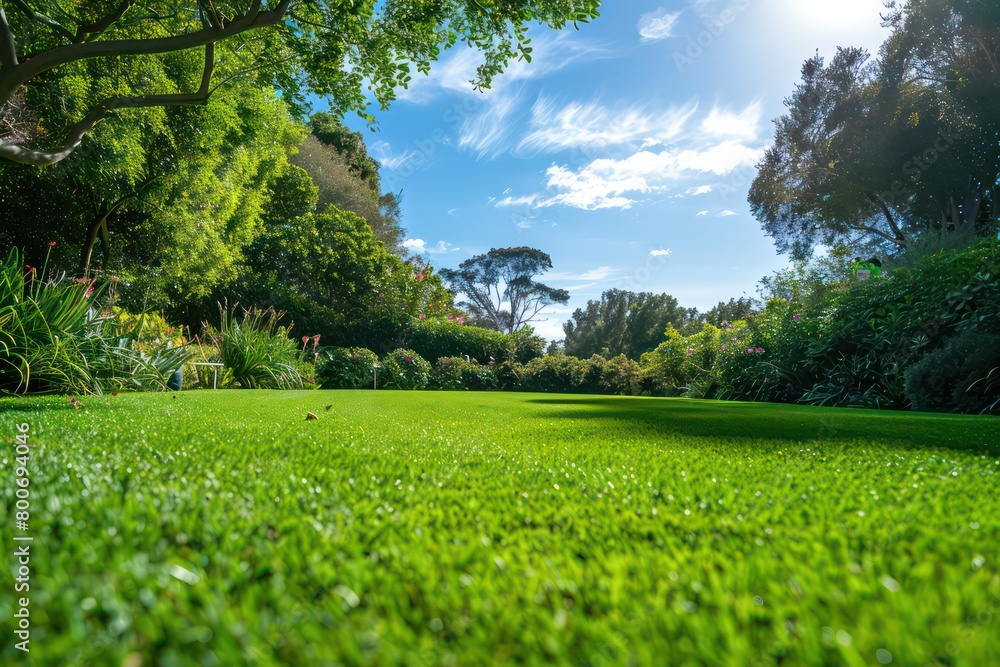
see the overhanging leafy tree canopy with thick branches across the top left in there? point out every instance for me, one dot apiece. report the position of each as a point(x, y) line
point(337, 50)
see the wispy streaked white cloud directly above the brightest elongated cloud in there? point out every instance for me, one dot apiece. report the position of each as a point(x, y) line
point(595, 125)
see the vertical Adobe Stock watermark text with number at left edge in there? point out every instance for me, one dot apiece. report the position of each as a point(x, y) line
point(22, 540)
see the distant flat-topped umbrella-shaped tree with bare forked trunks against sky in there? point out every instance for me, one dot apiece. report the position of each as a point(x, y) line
point(499, 288)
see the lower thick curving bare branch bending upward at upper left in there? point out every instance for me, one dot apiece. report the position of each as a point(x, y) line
point(105, 109)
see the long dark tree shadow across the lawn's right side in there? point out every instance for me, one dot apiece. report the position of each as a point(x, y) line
point(770, 421)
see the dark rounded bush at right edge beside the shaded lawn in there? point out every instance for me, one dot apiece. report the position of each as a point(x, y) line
point(955, 377)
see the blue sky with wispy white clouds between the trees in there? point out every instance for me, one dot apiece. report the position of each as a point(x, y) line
point(624, 150)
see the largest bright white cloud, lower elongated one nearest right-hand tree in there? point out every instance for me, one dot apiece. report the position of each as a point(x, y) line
point(608, 183)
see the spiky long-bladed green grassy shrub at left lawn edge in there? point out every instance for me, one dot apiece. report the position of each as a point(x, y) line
point(256, 351)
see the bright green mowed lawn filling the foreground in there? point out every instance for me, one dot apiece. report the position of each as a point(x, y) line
point(222, 528)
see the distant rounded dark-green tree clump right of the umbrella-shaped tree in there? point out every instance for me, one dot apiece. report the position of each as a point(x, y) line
point(623, 322)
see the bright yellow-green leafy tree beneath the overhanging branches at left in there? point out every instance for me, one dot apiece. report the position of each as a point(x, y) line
point(167, 204)
